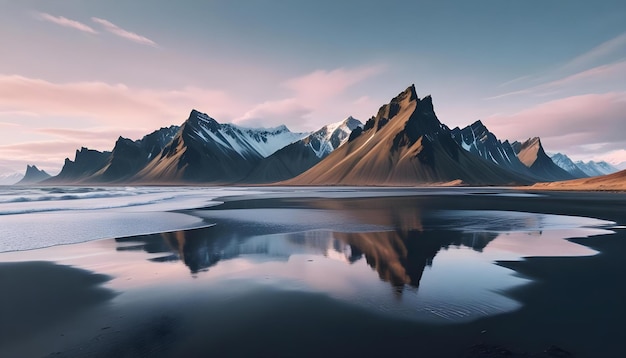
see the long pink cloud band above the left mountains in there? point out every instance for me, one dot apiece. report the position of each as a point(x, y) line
point(108, 105)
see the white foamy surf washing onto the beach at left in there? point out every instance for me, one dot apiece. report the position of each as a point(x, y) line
point(32, 217)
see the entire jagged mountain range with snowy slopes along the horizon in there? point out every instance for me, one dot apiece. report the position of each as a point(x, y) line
point(403, 144)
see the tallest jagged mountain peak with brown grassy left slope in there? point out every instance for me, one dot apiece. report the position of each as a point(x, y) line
point(405, 143)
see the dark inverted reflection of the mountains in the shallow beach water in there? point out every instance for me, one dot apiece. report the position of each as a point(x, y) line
point(399, 256)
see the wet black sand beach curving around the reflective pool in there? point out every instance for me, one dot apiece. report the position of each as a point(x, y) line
point(575, 303)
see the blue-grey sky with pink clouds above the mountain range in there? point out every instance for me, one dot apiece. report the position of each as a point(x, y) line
point(77, 73)
